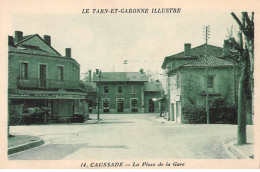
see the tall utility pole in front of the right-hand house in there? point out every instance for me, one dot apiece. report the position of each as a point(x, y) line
point(206, 31)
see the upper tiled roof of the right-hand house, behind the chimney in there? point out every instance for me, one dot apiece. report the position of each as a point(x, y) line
point(196, 52)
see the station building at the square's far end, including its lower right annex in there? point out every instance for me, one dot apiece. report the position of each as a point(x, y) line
point(127, 92)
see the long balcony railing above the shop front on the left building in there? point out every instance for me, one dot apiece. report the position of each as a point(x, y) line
point(49, 84)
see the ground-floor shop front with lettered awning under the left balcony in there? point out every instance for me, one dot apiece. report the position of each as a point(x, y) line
point(57, 105)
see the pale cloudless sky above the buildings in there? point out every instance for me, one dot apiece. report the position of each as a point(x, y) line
point(104, 41)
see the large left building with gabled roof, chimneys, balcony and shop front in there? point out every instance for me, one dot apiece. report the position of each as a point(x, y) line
point(39, 76)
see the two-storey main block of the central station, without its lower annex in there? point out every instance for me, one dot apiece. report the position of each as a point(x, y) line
point(120, 92)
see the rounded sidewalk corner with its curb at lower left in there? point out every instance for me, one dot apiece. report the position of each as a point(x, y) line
point(20, 143)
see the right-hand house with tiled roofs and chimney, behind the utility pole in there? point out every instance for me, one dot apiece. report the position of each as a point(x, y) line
point(185, 83)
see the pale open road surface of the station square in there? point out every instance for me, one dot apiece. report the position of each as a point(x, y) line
point(127, 136)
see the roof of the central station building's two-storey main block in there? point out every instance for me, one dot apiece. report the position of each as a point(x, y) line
point(120, 76)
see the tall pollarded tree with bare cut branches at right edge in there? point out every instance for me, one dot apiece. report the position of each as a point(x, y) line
point(243, 55)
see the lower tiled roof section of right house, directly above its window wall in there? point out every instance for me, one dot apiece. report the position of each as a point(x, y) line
point(211, 61)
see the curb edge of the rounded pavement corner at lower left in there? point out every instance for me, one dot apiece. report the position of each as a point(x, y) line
point(25, 146)
